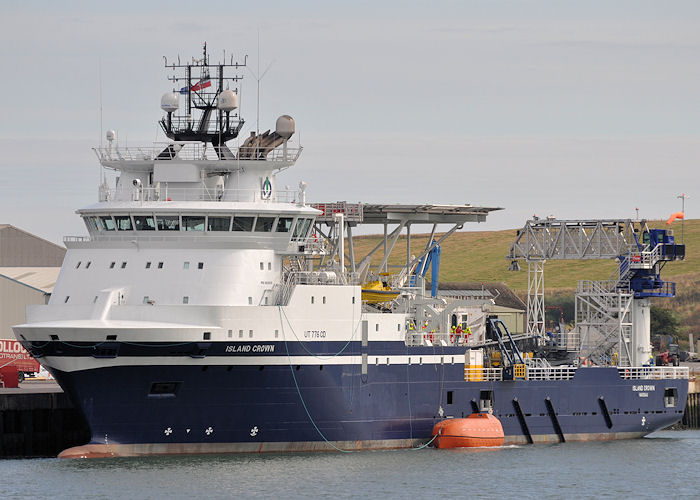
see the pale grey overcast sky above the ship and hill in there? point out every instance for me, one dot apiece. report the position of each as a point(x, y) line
point(565, 108)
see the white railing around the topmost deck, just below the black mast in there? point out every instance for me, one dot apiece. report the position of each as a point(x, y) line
point(189, 151)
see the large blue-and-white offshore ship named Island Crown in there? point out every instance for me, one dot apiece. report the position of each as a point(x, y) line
point(211, 310)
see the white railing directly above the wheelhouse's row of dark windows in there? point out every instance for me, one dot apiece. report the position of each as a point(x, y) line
point(166, 194)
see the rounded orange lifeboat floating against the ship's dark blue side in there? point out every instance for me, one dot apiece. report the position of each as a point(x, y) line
point(477, 430)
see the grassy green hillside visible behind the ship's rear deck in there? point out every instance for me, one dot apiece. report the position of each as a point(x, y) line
point(480, 256)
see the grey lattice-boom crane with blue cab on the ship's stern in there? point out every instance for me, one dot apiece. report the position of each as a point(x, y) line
point(612, 316)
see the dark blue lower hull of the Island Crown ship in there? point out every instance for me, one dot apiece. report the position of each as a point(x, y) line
point(289, 407)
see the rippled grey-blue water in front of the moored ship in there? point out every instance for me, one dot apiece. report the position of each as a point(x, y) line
point(662, 465)
